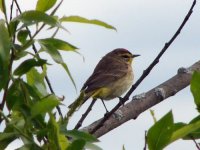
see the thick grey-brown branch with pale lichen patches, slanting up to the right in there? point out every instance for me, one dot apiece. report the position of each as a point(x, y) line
point(144, 101)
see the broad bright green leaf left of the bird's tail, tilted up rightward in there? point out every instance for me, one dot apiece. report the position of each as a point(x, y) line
point(45, 105)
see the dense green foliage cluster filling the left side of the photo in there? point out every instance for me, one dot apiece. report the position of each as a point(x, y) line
point(26, 89)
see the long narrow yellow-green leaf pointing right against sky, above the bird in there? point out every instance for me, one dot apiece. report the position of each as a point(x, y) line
point(79, 19)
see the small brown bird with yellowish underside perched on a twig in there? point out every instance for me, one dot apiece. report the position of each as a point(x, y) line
point(112, 76)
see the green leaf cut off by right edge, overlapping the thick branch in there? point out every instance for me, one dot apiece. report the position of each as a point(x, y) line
point(195, 88)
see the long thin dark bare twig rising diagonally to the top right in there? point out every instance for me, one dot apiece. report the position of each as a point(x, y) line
point(147, 71)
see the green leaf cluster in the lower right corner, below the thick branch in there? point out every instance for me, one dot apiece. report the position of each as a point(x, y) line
point(166, 131)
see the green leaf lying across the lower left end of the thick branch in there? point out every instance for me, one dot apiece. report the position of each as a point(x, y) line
point(75, 134)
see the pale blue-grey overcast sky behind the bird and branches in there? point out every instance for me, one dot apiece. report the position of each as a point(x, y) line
point(143, 27)
